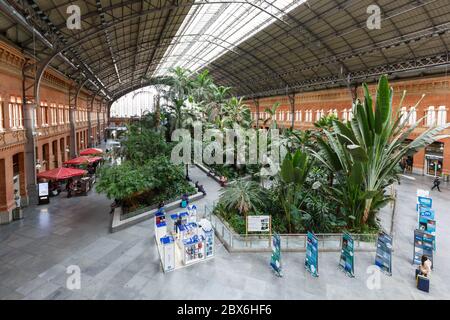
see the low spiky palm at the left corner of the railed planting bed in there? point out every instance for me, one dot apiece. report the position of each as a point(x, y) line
point(243, 196)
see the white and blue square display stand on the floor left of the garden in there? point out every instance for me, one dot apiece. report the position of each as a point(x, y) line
point(181, 240)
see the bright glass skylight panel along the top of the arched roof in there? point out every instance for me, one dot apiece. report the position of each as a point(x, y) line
point(212, 29)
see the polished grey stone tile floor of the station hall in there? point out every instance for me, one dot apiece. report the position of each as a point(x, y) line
point(36, 251)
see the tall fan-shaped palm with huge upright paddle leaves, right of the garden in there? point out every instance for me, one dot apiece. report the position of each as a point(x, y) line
point(374, 142)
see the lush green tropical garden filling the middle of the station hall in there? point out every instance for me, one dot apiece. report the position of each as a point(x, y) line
point(332, 178)
